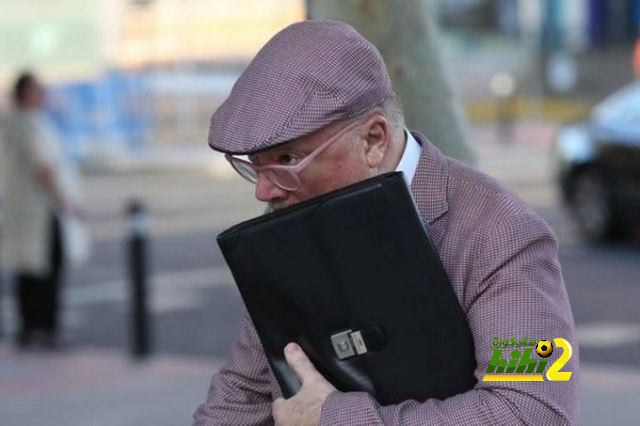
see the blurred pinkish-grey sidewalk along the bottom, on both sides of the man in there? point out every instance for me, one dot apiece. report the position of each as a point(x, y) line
point(105, 388)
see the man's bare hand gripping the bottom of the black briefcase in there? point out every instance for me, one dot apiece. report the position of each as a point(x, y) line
point(302, 409)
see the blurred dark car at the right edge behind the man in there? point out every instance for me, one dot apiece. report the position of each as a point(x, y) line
point(599, 166)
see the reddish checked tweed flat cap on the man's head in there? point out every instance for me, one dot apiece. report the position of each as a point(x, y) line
point(307, 76)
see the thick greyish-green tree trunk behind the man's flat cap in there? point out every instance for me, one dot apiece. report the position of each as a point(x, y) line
point(406, 35)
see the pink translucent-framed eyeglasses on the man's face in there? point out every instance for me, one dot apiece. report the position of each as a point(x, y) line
point(285, 177)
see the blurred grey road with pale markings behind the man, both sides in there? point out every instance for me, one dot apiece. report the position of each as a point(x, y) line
point(195, 307)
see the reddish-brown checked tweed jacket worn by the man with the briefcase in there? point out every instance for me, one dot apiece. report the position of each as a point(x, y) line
point(502, 260)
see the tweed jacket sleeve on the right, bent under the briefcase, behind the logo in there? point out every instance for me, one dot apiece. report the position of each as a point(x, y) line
point(516, 291)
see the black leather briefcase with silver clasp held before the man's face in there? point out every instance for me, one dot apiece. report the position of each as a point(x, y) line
point(353, 278)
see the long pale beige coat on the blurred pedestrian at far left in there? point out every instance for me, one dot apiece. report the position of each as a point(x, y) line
point(31, 142)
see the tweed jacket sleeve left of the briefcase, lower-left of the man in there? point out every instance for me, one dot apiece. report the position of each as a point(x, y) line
point(240, 393)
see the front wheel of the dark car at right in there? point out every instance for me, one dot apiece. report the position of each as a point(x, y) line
point(591, 206)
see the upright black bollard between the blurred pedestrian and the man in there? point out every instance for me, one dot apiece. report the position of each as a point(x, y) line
point(139, 274)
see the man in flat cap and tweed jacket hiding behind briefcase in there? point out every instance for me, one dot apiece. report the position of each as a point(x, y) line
point(315, 111)
